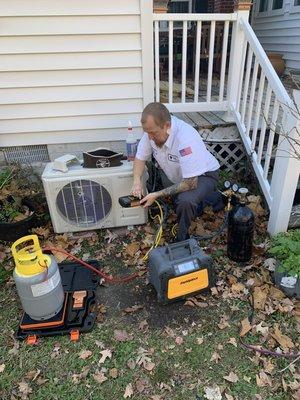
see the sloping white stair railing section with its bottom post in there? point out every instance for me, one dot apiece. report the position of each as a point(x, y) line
point(267, 121)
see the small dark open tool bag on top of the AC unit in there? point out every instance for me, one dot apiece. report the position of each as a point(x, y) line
point(101, 158)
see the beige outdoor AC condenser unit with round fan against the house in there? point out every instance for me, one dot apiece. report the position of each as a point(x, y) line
point(87, 198)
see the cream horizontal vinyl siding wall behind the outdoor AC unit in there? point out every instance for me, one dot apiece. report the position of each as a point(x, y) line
point(73, 71)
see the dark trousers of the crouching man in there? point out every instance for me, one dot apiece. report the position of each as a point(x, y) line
point(186, 203)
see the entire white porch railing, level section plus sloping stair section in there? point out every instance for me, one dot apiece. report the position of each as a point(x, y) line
point(262, 109)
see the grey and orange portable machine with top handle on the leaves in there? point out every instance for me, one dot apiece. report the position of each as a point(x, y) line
point(180, 269)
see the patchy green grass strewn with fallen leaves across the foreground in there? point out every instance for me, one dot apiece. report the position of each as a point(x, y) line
point(187, 368)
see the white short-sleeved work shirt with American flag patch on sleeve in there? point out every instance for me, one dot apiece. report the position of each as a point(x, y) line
point(184, 154)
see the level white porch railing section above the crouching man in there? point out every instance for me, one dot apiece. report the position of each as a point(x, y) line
point(204, 27)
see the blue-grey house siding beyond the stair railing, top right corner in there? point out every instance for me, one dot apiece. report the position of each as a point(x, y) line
point(279, 31)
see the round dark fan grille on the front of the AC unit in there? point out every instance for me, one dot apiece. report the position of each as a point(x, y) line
point(83, 202)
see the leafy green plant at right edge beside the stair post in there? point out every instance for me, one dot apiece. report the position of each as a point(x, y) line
point(286, 248)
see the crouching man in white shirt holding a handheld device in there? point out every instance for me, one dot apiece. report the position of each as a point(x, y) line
point(190, 171)
